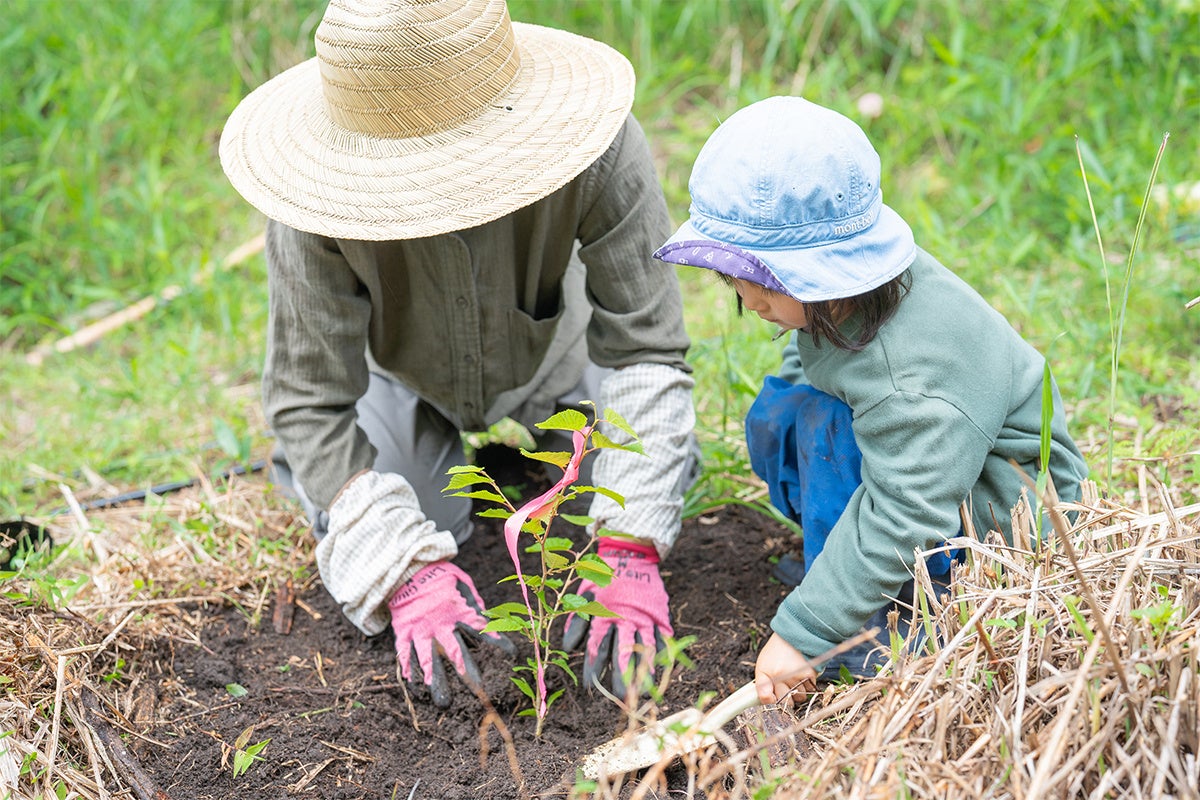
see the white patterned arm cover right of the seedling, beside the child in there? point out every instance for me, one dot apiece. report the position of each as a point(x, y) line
point(656, 400)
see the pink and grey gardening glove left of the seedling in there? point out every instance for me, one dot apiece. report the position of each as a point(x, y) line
point(433, 612)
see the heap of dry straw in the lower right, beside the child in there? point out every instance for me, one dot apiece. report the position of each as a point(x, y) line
point(1066, 672)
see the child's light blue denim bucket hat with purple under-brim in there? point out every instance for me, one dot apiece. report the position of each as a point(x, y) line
point(787, 194)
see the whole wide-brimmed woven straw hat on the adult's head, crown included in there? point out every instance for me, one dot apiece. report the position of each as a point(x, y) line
point(424, 117)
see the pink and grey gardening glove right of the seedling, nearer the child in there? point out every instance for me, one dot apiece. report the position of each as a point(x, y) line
point(638, 594)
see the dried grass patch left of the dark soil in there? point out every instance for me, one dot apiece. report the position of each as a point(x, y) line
point(151, 573)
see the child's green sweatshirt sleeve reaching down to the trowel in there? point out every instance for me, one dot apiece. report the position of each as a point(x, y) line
point(921, 459)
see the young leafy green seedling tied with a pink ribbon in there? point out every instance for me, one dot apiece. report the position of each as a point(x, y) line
point(548, 596)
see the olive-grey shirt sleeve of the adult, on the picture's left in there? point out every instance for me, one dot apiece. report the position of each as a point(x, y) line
point(316, 366)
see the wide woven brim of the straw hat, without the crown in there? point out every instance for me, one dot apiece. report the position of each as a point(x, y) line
point(284, 154)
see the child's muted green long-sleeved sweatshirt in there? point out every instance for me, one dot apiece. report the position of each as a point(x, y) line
point(944, 399)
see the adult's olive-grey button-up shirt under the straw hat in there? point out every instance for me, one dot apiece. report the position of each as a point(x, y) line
point(466, 320)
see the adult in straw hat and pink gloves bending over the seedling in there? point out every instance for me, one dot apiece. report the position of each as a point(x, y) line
point(461, 219)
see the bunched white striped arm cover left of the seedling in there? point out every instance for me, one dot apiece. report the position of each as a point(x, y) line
point(377, 540)
